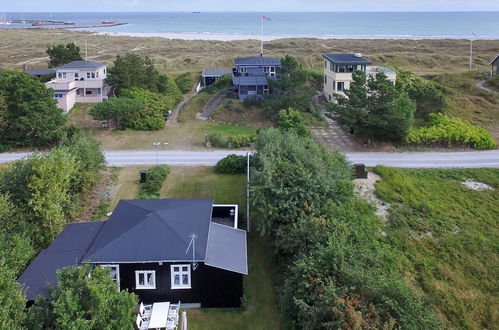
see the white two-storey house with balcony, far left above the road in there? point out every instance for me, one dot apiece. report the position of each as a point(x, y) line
point(79, 82)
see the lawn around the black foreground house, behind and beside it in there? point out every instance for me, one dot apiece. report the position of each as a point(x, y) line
point(260, 311)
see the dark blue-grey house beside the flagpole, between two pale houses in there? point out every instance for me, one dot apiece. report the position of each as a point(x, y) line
point(250, 76)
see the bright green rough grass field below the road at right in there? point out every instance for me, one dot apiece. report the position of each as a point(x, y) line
point(447, 240)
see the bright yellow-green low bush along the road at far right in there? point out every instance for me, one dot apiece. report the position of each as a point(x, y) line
point(451, 132)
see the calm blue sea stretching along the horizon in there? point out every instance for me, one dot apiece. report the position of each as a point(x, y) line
point(403, 25)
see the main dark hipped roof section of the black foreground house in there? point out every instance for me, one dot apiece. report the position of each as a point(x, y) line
point(153, 230)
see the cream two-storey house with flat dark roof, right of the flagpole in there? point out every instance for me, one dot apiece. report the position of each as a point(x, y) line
point(338, 69)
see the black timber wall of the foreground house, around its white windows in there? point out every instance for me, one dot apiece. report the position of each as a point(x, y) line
point(212, 287)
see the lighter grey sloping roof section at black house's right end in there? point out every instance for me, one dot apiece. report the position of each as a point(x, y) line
point(220, 256)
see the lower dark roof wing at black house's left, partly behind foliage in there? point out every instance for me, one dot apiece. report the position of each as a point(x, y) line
point(67, 250)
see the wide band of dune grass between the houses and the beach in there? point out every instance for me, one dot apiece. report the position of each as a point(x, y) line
point(20, 46)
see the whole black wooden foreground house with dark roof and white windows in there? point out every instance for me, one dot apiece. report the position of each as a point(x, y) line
point(187, 250)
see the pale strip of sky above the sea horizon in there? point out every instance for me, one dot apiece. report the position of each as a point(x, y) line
point(254, 5)
